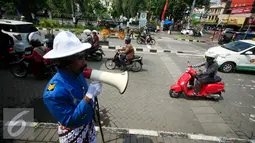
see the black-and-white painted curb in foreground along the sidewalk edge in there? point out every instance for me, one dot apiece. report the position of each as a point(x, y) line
point(192, 136)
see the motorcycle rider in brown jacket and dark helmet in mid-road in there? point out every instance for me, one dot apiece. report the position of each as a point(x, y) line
point(127, 52)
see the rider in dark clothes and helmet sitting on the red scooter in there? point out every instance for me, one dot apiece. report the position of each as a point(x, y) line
point(210, 73)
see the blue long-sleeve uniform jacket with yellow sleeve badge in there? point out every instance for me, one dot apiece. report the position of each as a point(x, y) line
point(63, 97)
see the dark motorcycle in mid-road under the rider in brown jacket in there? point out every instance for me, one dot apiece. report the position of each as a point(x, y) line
point(135, 64)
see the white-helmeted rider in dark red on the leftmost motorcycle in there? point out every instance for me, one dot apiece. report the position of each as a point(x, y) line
point(38, 52)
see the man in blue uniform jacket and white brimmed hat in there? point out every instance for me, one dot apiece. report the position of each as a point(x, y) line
point(67, 95)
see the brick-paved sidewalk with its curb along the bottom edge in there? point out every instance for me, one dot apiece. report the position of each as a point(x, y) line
point(47, 133)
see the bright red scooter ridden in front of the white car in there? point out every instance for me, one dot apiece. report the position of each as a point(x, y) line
point(210, 90)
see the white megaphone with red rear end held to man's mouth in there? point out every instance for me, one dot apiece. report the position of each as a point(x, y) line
point(118, 80)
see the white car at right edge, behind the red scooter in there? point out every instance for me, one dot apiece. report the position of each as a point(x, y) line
point(237, 55)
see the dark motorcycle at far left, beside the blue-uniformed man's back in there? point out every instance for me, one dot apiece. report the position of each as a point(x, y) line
point(23, 67)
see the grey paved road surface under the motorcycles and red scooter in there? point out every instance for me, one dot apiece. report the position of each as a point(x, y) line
point(146, 103)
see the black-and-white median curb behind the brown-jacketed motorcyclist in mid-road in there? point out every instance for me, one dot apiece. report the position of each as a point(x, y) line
point(149, 50)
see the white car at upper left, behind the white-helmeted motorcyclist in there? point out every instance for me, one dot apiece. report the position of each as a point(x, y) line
point(19, 31)
